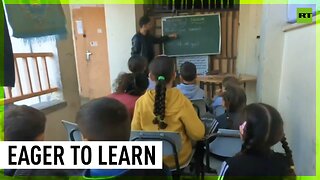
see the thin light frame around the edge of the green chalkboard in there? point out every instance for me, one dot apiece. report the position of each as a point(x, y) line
point(190, 16)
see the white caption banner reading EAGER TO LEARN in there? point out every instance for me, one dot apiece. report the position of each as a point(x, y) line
point(80, 155)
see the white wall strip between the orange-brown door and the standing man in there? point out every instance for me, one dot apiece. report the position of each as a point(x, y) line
point(121, 26)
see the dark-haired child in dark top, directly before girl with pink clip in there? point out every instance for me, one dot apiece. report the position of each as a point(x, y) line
point(234, 100)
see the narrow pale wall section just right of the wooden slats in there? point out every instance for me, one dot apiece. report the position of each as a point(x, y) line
point(274, 18)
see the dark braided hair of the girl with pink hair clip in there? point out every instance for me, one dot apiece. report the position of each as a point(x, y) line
point(263, 129)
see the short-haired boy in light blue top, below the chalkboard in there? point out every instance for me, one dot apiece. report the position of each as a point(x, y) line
point(188, 86)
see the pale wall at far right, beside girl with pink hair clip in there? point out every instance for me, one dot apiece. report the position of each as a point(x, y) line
point(297, 96)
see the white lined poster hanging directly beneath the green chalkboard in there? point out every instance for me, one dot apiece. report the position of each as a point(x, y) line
point(201, 63)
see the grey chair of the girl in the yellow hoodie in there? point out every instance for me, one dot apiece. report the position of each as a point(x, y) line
point(171, 145)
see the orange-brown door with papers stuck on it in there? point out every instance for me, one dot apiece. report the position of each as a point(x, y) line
point(91, 51)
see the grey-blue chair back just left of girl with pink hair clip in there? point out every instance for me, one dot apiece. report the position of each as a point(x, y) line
point(224, 144)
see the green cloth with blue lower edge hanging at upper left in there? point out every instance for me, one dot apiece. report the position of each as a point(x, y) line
point(32, 21)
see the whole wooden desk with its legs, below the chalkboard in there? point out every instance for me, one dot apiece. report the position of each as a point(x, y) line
point(209, 82)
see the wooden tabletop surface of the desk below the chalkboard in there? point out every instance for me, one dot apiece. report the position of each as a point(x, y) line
point(217, 79)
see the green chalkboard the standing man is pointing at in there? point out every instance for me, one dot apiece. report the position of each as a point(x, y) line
point(197, 35)
